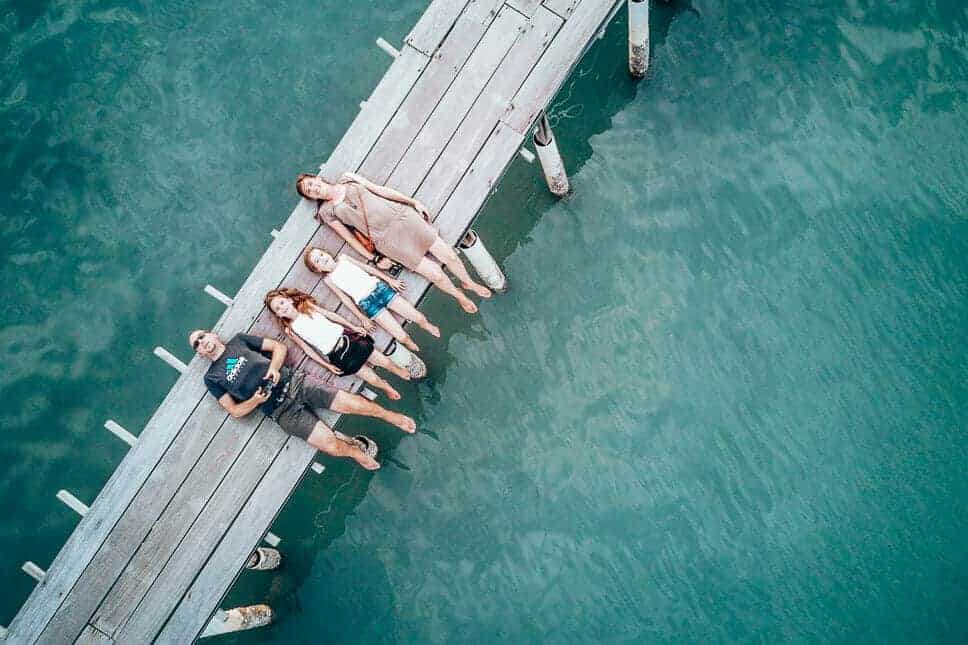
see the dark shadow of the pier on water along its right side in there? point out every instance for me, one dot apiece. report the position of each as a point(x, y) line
point(505, 224)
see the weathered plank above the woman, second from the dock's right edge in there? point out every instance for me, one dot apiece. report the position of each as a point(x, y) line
point(491, 106)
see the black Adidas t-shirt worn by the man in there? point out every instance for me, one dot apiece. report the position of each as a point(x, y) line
point(240, 370)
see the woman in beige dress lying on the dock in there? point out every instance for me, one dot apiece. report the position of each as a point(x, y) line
point(392, 225)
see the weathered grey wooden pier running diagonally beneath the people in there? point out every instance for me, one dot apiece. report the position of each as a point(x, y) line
point(156, 552)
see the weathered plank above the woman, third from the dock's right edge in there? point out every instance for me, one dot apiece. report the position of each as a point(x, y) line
point(454, 105)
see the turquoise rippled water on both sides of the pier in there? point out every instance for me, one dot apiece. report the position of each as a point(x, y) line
point(724, 399)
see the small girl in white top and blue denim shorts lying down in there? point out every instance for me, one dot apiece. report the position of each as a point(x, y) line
point(369, 293)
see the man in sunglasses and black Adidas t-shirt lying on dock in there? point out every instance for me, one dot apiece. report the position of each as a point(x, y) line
point(242, 378)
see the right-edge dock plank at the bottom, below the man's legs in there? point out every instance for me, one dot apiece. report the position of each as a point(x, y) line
point(272, 492)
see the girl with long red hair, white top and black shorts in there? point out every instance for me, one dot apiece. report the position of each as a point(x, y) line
point(331, 340)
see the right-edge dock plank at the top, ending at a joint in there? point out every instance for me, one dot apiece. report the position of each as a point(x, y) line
point(558, 62)
